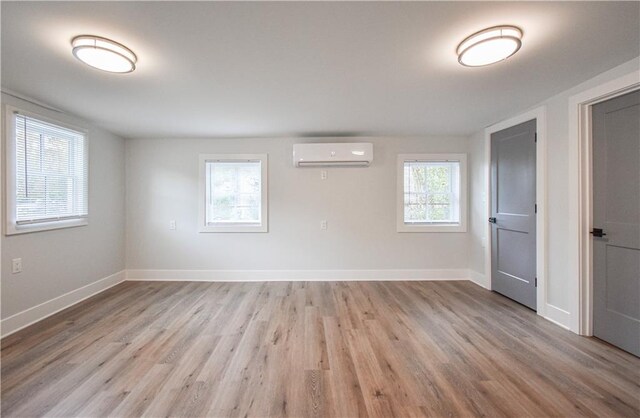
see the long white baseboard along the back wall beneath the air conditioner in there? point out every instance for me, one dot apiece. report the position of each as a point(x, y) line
point(295, 275)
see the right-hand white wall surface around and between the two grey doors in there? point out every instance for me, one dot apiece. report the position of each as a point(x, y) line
point(561, 195)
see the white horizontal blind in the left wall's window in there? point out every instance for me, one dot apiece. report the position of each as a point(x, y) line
point(51, 172)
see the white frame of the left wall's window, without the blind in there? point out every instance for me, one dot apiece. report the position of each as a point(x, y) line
point(11, 225)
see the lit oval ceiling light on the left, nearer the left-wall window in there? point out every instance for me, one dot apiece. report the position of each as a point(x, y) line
point(103, 54)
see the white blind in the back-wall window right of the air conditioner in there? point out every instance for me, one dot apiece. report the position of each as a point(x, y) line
point(431, 192)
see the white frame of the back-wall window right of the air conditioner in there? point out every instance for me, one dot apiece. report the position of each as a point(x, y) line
point(462, 193)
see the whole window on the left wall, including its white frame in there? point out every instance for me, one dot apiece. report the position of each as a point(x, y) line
point(47, 173)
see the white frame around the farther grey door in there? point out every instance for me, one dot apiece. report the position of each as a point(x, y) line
point(540, 115)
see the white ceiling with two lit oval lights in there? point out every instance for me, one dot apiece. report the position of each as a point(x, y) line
point(210, 69)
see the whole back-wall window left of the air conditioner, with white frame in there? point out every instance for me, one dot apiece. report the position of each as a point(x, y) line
point(233, 193)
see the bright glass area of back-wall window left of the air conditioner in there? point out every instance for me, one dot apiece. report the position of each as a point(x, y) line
point(234, 192)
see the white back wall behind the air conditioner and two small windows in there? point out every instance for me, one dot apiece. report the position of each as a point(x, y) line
point(358, 203)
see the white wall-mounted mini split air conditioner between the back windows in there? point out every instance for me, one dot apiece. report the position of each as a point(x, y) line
point(358, 154)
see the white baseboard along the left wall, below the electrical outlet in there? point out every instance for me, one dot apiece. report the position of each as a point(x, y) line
point(39, 312)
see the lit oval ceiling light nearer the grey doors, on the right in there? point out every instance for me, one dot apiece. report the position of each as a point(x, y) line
point(489, 46)
